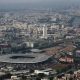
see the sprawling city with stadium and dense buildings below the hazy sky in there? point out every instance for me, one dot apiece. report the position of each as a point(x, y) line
point(40, 45)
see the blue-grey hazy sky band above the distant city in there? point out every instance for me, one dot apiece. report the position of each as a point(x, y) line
point(37, 3)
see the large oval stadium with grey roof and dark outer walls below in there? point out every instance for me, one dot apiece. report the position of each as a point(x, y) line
point(26, 61)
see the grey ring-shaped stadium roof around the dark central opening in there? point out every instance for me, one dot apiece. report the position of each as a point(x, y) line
point(37, 58)
